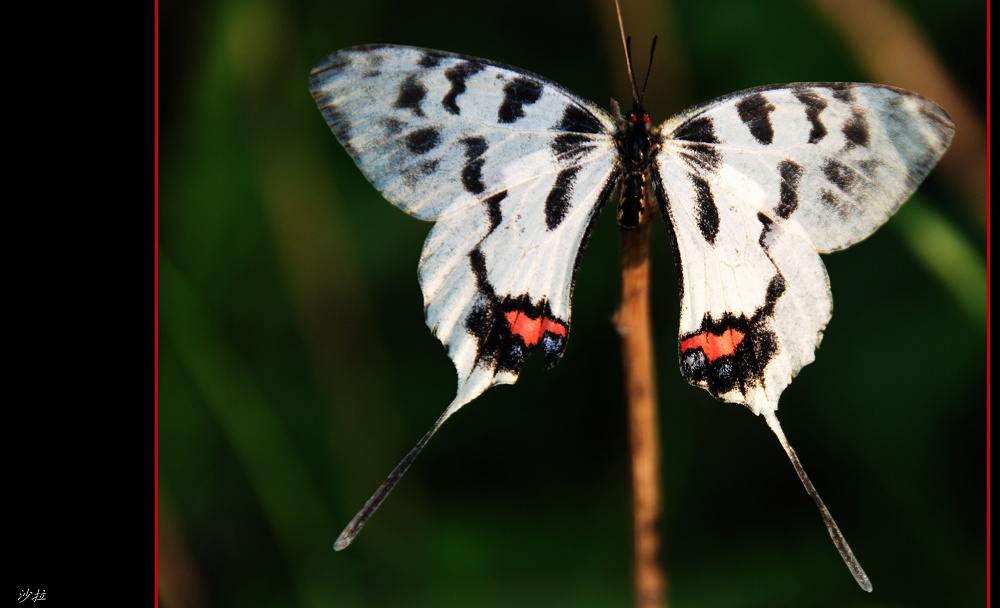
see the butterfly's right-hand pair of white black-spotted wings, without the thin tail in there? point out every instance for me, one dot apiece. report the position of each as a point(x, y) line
point(755, 185)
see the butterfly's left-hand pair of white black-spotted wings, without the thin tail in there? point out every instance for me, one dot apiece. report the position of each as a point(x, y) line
point(512, 168)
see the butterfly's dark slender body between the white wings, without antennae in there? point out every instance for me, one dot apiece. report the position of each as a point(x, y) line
point(636, 150)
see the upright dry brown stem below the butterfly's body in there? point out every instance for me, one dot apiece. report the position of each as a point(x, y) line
point(633, 325)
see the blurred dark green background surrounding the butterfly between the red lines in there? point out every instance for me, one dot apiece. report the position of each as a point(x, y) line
point(295, 367)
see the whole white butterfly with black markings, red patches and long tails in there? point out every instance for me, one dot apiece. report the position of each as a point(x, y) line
point(514, 170)
